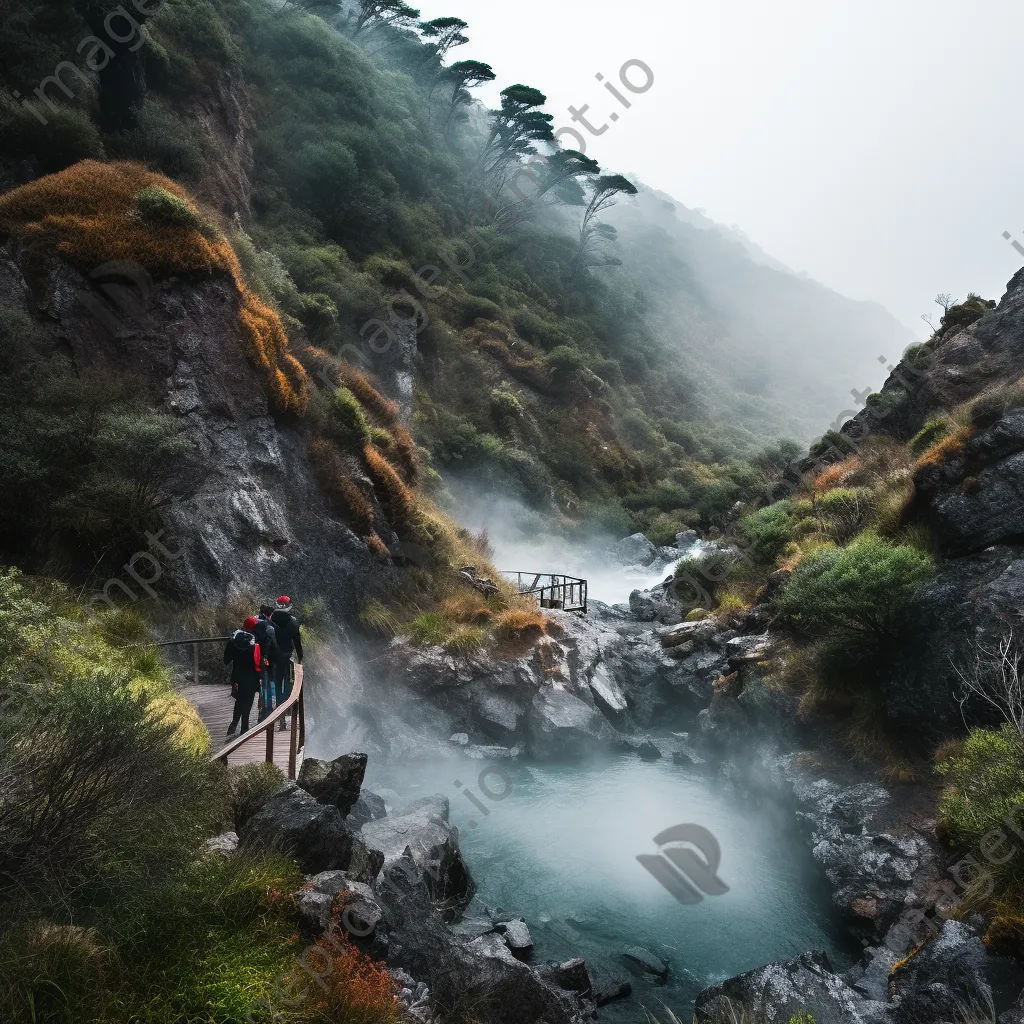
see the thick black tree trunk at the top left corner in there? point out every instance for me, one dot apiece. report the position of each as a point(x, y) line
point(122, 78)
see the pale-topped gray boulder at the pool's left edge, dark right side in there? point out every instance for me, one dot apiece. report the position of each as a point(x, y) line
point(423, 833)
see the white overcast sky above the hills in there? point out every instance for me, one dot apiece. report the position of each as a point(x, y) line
point(875, 145)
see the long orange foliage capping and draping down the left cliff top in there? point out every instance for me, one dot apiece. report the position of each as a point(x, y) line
point(88, 216)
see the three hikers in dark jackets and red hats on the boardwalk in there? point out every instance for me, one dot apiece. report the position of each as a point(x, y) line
point(261, 657)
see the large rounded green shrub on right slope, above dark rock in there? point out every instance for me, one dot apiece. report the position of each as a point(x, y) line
point(863, 588)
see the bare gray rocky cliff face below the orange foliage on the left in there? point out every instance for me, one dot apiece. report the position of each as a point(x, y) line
point(255, 521)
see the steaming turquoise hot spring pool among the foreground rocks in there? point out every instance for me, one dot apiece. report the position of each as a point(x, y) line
point(561, 847)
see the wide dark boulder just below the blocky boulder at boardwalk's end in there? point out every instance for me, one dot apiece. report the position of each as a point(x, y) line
point(313, 833)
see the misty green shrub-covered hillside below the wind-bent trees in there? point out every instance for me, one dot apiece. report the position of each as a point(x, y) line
point(338, 176)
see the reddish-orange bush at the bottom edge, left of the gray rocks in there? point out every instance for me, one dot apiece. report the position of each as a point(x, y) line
point(359, 990)
